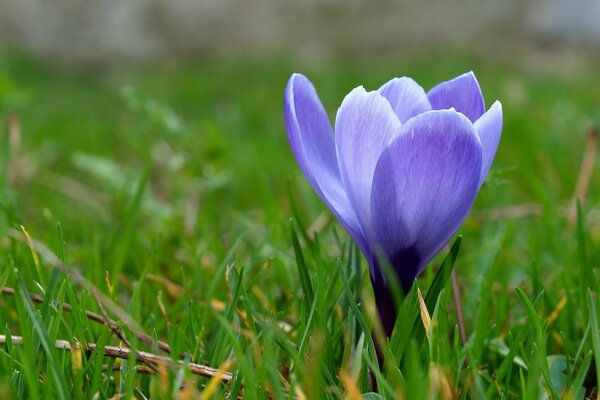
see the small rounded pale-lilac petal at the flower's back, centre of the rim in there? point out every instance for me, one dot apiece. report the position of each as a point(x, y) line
point(406, 97)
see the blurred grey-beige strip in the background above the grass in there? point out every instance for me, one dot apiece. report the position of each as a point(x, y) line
point(97, 31)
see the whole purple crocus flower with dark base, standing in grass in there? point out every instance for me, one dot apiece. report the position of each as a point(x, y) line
point(401, 171)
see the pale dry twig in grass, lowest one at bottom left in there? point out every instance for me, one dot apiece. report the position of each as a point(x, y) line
point(142, 356)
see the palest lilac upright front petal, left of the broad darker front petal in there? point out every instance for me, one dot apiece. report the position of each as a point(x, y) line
point(364, 125)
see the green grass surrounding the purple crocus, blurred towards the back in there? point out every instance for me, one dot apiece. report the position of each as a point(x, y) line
point(166, 199)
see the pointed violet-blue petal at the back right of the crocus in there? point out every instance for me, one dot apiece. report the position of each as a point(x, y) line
point(461, 93)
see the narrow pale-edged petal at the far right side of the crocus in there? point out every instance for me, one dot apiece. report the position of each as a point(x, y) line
point(489, 130)
